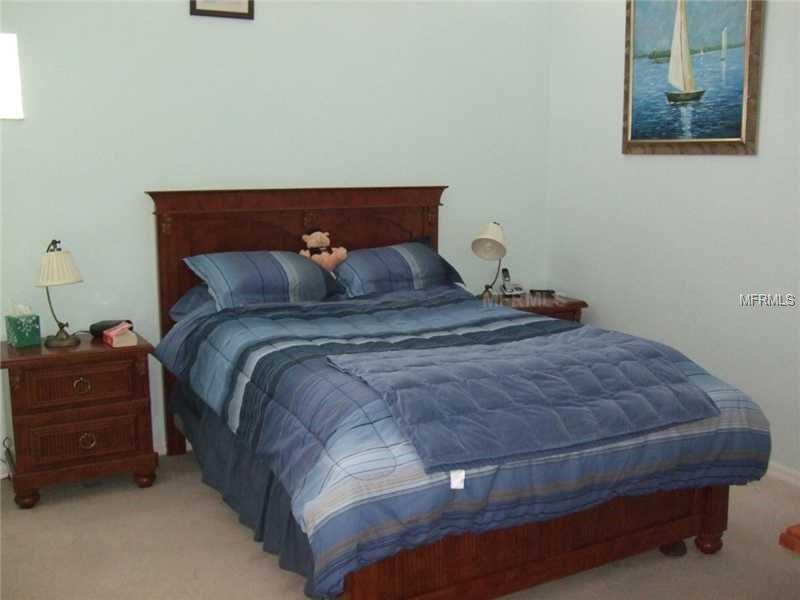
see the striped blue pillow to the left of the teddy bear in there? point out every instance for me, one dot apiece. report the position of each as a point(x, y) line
point(243, 278)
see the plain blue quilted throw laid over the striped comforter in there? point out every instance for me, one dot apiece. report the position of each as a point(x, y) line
point(490, 403)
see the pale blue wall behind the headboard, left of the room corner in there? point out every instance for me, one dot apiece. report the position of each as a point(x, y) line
point(126, 97)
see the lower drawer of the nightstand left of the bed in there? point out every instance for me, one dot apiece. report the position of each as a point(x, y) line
point(64, 442)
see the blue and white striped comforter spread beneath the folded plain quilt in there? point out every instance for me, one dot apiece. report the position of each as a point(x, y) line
point(358, 486)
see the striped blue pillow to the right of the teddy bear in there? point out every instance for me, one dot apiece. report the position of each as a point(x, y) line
point(411, 266)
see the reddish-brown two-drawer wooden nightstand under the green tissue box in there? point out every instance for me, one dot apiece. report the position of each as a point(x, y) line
point(78, 413)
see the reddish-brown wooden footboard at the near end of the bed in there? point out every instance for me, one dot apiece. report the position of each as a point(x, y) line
point(492, 564)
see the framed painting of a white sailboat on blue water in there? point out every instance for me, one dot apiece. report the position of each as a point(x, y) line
point(692, 72)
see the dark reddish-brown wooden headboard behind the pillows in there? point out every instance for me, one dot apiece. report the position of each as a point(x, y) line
point(196, 222)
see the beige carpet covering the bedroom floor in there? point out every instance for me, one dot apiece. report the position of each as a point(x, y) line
point(178, 540)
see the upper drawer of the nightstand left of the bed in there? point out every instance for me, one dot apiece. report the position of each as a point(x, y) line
point(110, 380)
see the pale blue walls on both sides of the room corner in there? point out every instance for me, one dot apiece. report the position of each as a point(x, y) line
point(124, 97)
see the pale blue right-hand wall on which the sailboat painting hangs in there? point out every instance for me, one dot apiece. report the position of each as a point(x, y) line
point(662, 246)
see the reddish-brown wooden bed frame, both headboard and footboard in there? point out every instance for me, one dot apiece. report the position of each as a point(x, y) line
point(470, 566)
